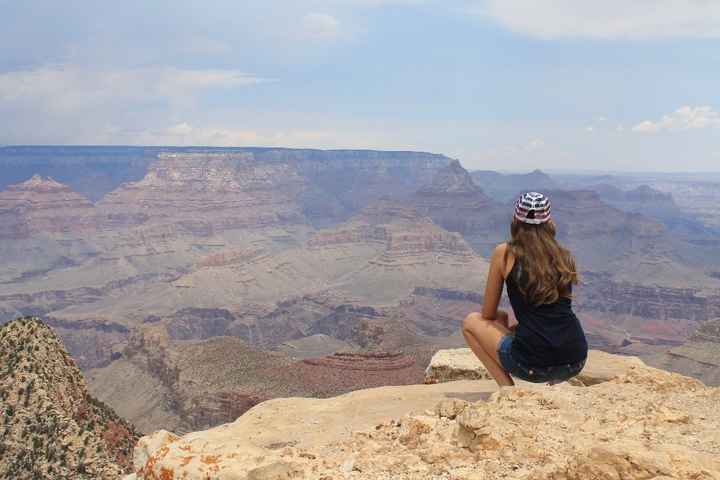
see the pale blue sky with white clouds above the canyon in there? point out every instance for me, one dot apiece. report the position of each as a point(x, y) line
point(499, 84)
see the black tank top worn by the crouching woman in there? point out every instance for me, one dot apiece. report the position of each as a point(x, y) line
point(548, 334)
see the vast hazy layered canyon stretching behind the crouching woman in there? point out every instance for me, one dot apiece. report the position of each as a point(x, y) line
point(213, 279)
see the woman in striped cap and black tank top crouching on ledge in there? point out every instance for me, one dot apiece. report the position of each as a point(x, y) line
point(548, 344)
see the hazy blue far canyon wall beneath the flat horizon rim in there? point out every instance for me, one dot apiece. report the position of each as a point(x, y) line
point(340, 181)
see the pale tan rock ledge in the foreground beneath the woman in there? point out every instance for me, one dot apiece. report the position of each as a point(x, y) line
point(638, 423)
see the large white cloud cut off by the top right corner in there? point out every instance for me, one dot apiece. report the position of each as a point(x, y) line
point(607, 19)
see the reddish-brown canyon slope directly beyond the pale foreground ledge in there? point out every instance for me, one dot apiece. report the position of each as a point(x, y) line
point(190, 385)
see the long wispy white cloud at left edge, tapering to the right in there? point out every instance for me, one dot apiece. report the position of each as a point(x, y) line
point(75, 88)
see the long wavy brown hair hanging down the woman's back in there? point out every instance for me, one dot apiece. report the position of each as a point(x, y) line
point(549, 268)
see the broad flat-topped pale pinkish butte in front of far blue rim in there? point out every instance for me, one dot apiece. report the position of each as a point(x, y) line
point(210, 192)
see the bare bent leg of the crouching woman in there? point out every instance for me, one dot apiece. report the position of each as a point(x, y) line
point(483, 337)
